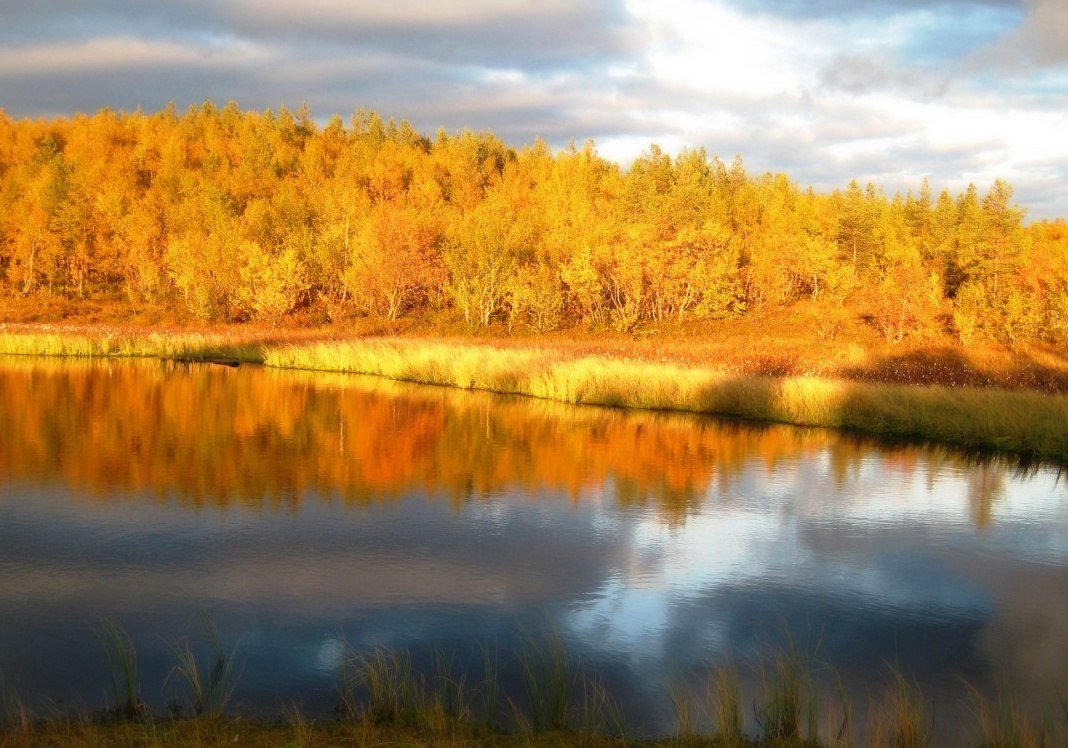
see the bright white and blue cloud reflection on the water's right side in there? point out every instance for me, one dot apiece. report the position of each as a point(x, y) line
point(883, 567)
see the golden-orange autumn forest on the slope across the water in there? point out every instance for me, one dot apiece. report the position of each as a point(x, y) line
point(225, 215)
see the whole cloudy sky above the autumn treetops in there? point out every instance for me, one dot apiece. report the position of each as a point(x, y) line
point(826, 91)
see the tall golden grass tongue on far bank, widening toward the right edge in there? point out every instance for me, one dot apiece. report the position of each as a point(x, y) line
point(1029, 424)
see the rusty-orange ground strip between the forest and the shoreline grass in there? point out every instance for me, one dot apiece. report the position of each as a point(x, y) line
point(803, 339)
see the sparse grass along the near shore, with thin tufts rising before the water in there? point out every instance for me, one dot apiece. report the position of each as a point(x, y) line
point(385, 698)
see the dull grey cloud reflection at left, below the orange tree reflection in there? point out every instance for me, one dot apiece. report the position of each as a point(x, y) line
point(423, 553)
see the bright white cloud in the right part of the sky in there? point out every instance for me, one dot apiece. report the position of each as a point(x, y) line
point(834, 99)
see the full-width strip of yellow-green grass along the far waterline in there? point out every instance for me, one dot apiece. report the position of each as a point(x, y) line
point(1029, 424)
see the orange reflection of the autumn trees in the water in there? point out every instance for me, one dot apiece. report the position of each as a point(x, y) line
point(209, 435)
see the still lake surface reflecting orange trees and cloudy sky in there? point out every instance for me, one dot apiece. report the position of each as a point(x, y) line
point(308, 513)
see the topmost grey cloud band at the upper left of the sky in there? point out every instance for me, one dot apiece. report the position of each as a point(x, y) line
point(545, 37)
